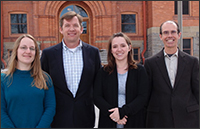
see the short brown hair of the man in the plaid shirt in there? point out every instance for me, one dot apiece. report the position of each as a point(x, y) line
point(69, 15)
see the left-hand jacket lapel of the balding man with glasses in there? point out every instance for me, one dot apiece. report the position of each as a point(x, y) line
point(162, 67)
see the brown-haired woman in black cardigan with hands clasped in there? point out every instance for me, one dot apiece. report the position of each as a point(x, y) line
point(121, 87)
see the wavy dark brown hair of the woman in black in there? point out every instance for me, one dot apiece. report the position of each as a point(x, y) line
point(110, 58)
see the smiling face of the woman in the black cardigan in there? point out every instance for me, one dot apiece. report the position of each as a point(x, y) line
point(120, 49)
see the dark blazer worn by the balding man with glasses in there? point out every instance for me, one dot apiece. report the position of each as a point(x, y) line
point(173, 107)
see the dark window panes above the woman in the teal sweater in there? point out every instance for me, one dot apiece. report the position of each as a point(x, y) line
point(18, 23)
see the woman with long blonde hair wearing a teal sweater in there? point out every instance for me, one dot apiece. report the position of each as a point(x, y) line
point(27, 92)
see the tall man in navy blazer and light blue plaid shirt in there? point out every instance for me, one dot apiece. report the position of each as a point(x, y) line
point(72, 65)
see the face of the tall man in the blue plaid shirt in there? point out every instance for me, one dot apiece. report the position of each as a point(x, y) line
point(71, 31)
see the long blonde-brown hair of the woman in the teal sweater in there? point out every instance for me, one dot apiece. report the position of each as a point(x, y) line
point(36, 71)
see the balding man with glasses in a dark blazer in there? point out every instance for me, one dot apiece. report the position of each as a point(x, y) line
point(174, 81)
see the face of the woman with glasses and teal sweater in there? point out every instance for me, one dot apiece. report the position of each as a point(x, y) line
point(25, 53)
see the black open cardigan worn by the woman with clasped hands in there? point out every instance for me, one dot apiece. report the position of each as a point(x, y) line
point(106, 97)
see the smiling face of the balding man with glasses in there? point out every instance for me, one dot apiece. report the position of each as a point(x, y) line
point(170, 36)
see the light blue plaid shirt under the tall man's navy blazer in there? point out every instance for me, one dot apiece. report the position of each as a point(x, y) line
point(73, 66)
